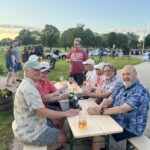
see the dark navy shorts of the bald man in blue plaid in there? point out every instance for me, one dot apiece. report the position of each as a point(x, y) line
point(124, 135)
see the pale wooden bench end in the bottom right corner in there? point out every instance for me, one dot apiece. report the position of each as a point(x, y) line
point(140, 143)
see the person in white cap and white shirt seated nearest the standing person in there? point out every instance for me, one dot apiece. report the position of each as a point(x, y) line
point(91, 73)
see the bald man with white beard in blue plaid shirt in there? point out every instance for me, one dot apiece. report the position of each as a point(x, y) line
point(130, 105)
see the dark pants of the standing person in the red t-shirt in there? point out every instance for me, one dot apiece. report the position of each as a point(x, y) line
point(79, 78)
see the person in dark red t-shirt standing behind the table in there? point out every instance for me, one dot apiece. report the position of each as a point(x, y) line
point(76, 56)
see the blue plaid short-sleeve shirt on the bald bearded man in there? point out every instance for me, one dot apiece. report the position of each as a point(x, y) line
point(138, 98)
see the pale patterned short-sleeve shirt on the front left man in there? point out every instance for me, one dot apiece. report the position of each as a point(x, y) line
point(27, 125)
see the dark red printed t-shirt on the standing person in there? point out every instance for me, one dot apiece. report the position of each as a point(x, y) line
point(76, 66)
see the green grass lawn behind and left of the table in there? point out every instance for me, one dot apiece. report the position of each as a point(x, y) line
point(62, 67)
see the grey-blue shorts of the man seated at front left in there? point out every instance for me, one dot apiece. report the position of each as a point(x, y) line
point(48, 137)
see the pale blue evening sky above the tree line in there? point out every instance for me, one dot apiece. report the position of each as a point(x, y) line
point(102, 16)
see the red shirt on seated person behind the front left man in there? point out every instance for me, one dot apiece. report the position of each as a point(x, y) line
point(45, 87)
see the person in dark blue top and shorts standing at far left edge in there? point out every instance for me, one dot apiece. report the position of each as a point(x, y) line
point(10, 65)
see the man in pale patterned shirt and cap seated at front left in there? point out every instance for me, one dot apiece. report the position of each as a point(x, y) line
point(30, 124)
